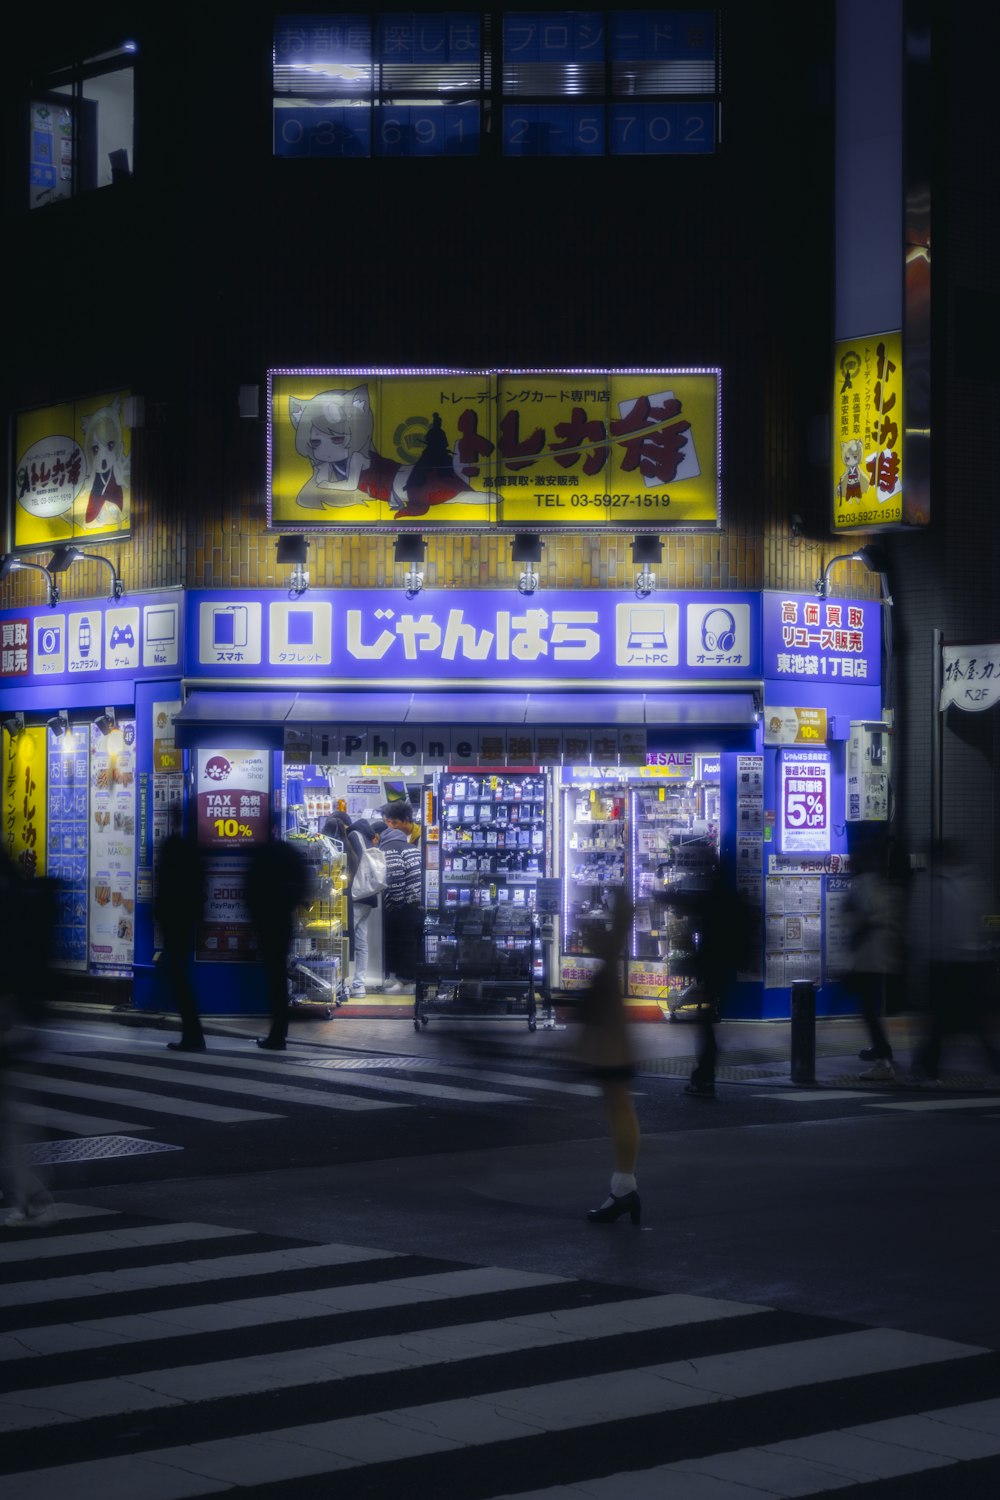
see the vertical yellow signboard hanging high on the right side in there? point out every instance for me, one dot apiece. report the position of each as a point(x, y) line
point(869, 433)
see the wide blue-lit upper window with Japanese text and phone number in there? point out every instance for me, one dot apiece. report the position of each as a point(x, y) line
point(519, 83)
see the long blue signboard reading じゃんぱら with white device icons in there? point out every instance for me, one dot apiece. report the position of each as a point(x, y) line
point(476, 635)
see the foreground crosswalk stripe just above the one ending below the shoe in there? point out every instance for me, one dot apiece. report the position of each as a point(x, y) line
point(185, 1273)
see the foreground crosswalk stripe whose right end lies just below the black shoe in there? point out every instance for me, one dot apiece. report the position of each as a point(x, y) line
point(290, 1307)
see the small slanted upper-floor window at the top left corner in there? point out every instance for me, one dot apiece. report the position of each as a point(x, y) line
point(82, 128)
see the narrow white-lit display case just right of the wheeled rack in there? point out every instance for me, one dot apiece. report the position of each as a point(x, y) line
point(593, 868)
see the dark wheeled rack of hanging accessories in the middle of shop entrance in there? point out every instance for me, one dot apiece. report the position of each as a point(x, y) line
point(482, 946)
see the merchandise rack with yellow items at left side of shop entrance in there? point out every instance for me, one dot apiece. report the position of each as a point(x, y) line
point(319, 958)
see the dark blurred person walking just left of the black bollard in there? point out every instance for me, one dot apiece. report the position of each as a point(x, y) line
point(720, 929)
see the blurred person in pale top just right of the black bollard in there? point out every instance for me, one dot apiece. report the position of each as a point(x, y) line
point(875, 916)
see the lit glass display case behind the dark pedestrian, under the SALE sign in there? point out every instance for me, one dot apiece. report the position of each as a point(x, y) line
point(674, 847)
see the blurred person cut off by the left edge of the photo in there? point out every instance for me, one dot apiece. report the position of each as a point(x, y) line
point(26, 934)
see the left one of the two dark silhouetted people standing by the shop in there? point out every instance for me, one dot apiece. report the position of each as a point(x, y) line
point(179, 904)
